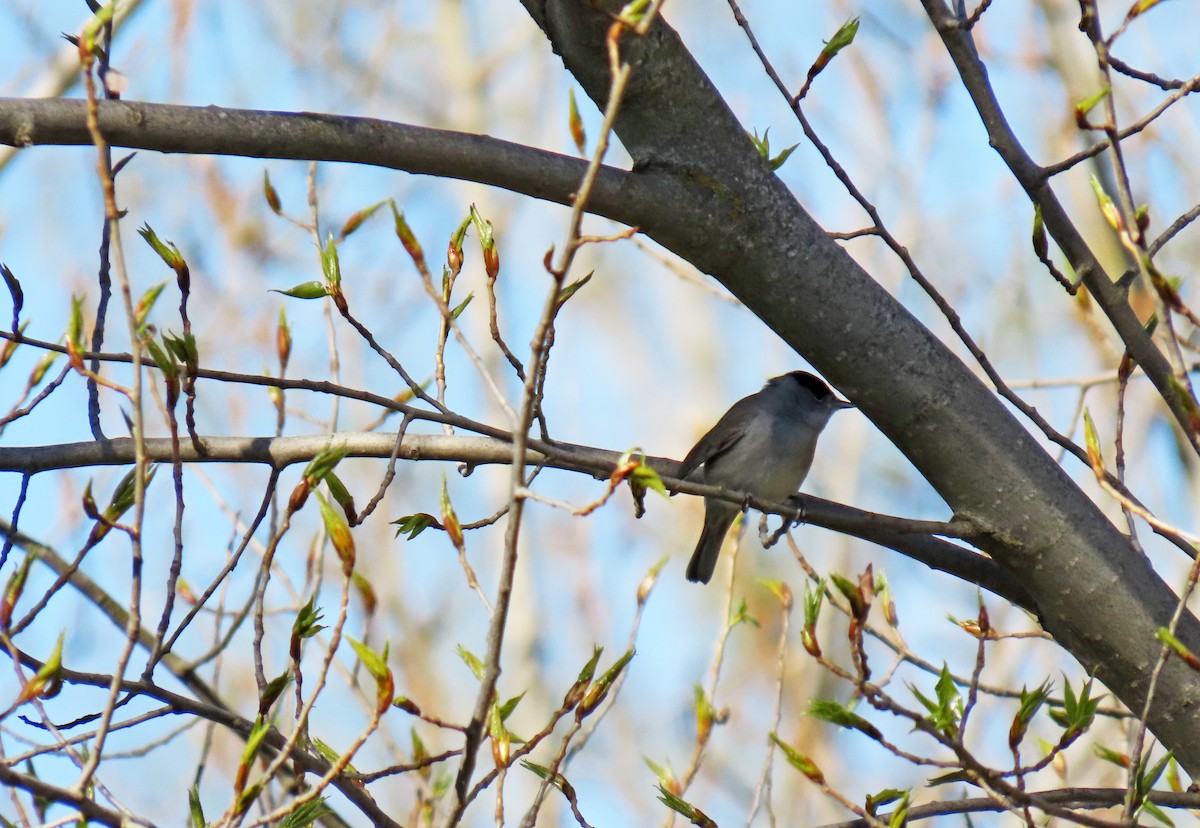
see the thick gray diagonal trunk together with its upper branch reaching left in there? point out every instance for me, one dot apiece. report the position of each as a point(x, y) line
point(701, 190)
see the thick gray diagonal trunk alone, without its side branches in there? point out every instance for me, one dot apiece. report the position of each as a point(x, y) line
point(1096, 593)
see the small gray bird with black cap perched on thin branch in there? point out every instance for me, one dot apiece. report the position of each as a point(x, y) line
point(764, 446)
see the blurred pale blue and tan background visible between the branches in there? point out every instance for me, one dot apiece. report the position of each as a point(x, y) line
point(644, 357)
